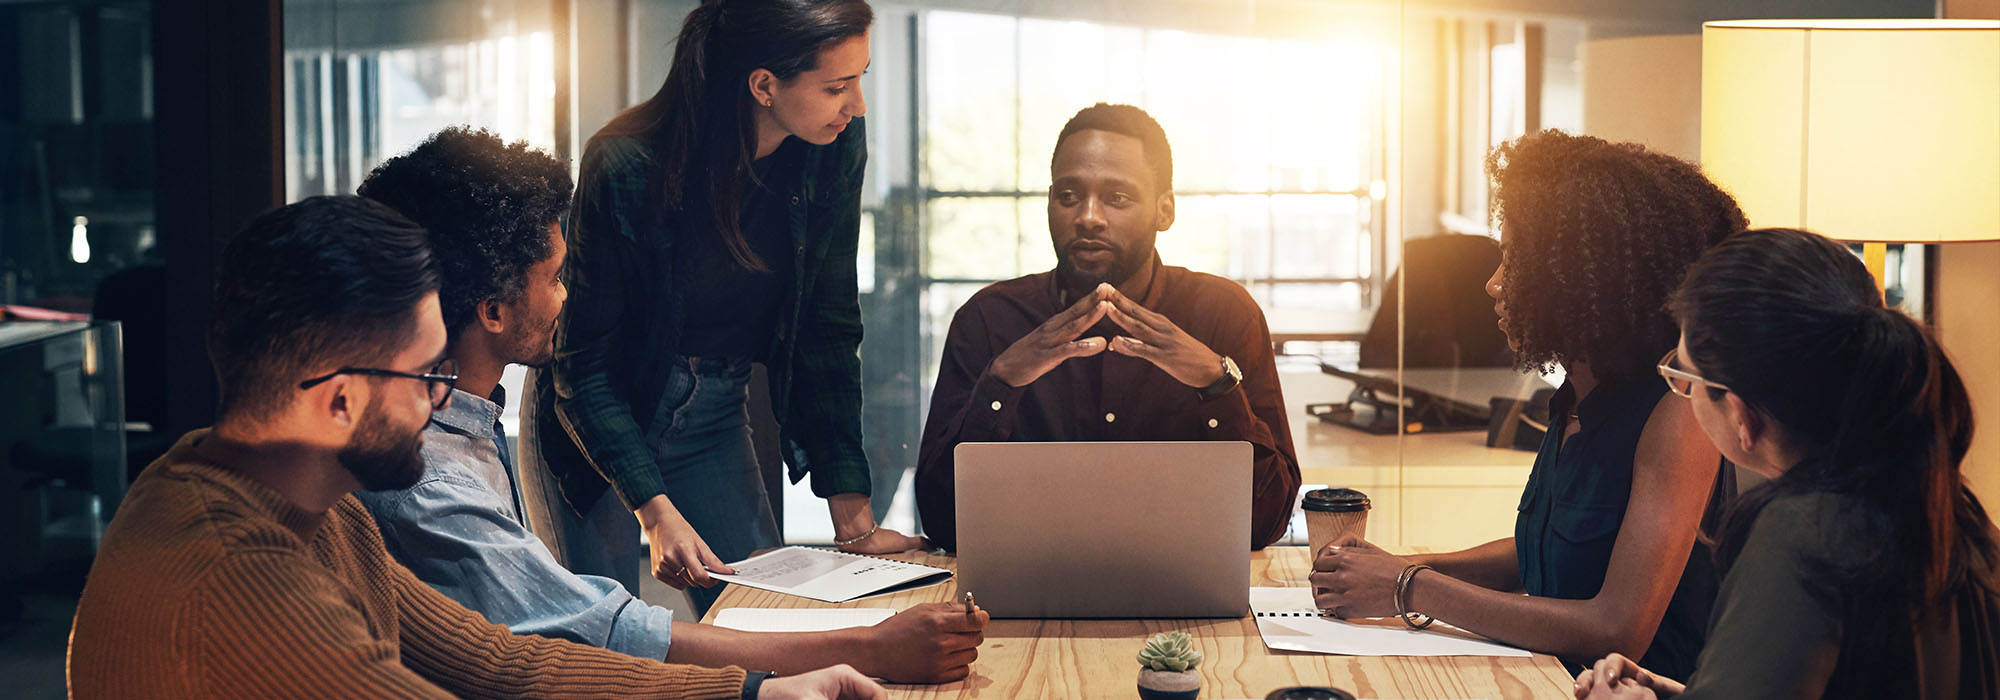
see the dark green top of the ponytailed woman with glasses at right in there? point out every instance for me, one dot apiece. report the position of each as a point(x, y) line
point(1781, 633)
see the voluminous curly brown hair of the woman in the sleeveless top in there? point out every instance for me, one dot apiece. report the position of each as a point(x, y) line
point(1599, 237)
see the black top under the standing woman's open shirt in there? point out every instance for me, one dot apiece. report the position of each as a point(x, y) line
point(733, 311)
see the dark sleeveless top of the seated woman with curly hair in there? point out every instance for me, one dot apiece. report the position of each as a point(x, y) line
point(1577, 499)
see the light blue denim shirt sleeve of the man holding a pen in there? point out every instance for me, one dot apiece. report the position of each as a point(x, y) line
point(455, 535)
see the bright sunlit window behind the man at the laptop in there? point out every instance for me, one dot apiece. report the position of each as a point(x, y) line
point(1279, 157)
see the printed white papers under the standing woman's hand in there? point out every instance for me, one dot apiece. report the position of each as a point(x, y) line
point(831, 577)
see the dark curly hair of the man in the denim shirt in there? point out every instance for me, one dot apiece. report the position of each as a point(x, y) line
point(487, 205)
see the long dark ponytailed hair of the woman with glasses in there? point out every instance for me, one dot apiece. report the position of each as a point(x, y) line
point(1795, 327)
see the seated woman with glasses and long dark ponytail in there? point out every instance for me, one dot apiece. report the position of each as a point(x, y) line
point(1865, 569)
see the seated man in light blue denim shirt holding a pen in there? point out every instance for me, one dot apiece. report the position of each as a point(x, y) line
point(493, 213)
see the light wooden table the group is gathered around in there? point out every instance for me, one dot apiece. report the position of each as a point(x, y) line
point(1097, 659)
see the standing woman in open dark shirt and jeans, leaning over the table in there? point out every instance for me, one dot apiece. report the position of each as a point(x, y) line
point(715, 227)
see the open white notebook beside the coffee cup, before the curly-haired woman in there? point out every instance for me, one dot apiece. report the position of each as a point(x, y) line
point(1289, 621)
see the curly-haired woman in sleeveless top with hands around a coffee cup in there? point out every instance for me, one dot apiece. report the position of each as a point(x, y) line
point(1593, 237)
